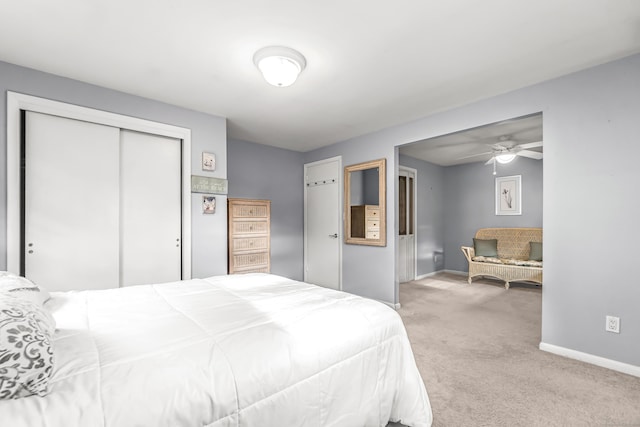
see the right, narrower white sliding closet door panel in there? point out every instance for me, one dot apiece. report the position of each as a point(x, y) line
point(150, 200)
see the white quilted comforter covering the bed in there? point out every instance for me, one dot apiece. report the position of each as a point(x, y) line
point(241, 350)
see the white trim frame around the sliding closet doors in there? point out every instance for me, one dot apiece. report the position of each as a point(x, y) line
point(17, 102)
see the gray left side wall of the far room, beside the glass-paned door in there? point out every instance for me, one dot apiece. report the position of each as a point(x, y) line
point(431, 216)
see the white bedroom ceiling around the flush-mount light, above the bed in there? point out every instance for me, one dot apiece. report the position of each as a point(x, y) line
point(371, 64)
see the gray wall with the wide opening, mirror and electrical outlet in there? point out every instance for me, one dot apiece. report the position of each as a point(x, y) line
point(589, 208)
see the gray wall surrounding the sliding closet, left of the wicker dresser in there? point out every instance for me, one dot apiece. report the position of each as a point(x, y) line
point(209, 248)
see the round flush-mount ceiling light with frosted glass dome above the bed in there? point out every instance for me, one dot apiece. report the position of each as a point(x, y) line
point(279, 65)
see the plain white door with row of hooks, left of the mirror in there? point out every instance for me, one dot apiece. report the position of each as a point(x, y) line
point(322, 254)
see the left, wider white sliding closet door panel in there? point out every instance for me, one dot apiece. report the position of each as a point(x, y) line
point(71, 203)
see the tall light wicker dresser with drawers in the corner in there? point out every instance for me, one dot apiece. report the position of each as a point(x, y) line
point(249, 236)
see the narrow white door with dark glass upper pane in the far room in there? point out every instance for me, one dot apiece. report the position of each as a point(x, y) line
point(406, 220)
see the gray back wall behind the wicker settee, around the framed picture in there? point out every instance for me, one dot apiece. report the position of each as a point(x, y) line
point(470, 203)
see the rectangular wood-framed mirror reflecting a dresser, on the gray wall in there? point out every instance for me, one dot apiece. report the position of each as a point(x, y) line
point(365, 203)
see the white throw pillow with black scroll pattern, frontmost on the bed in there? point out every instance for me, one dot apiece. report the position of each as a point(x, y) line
point(26, 353)
